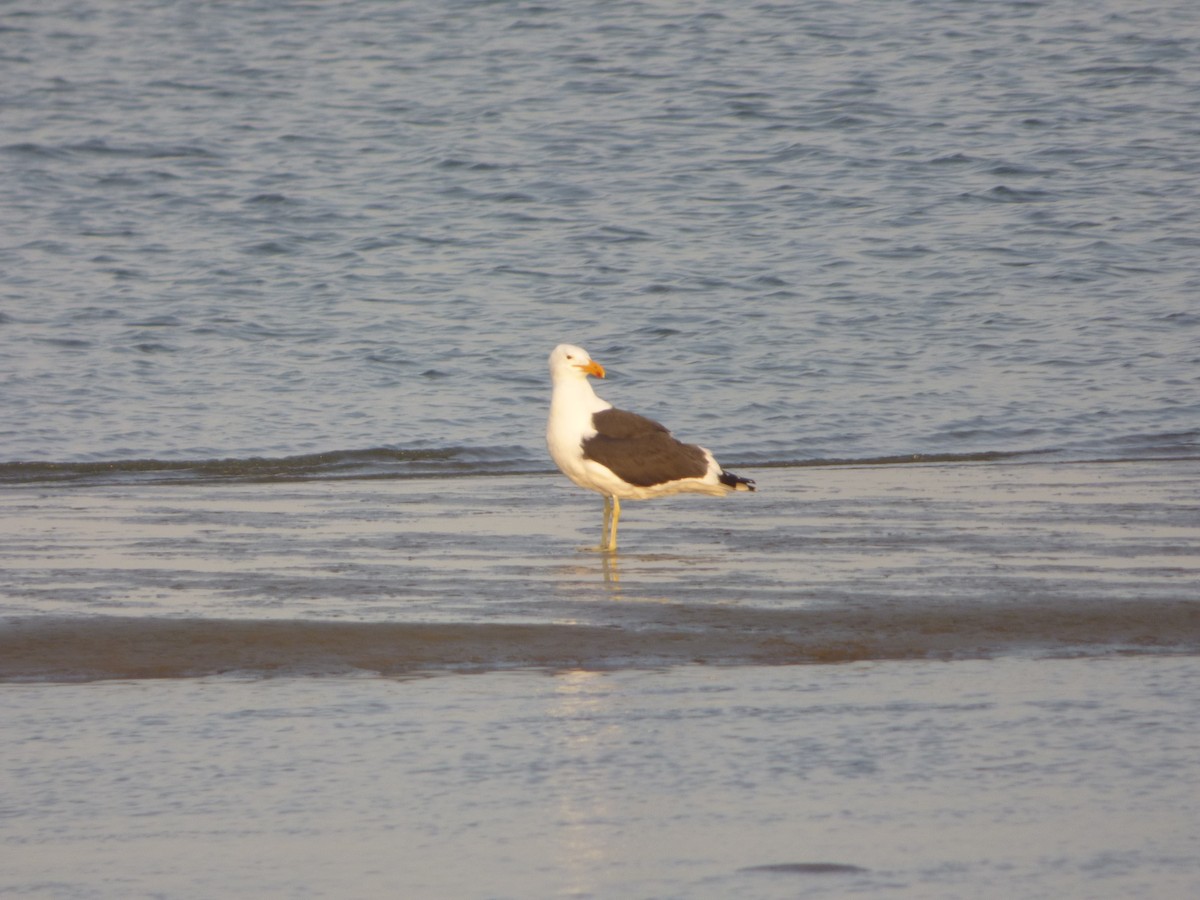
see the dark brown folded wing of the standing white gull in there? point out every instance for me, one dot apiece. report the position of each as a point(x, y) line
point(640, 451)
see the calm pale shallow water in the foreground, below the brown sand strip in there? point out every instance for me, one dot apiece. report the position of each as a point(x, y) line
point(991, 779)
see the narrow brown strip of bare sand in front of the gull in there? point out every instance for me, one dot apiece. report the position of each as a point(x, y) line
point(113, 647)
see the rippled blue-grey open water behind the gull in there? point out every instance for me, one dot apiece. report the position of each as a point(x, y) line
point(793, 232)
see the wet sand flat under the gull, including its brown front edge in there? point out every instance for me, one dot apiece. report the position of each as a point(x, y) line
point(826, 565)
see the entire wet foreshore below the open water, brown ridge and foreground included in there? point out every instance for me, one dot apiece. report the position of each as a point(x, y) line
point(1013, 712)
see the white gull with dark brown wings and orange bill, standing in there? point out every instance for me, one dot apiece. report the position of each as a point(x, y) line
point(621, 455)
